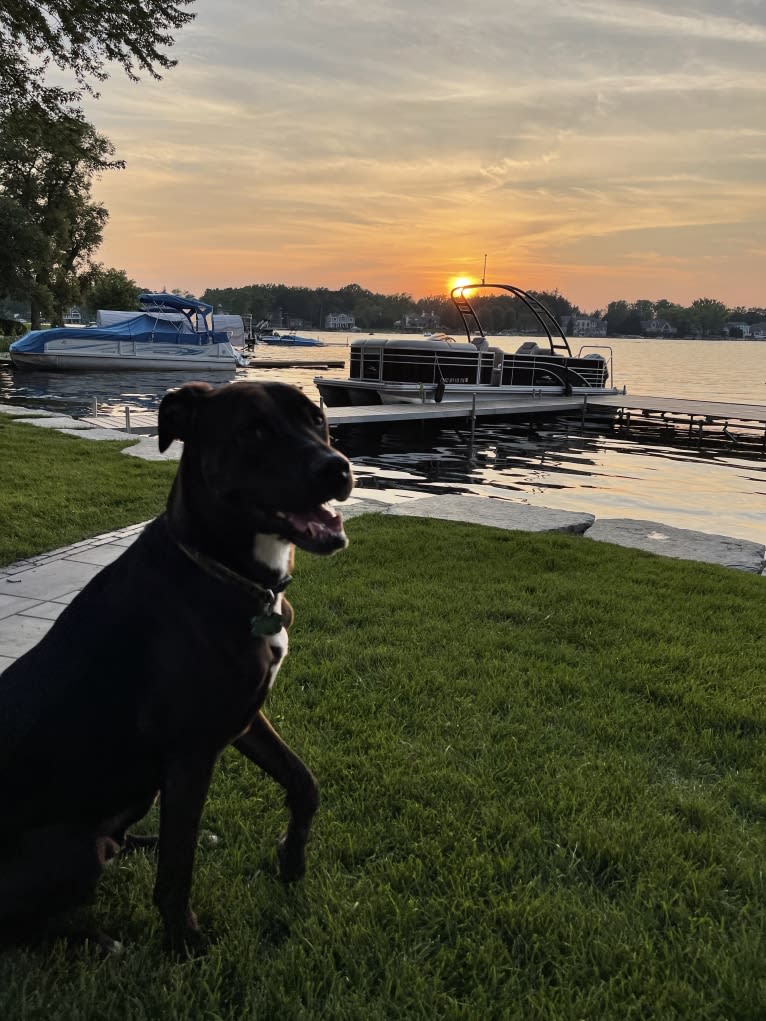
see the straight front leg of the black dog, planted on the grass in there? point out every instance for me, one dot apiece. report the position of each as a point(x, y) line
point(183, 794)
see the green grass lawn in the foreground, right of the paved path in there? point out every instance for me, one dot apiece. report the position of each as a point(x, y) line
point(542, 763)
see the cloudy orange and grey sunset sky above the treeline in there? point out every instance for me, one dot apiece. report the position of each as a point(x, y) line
point(608, 149)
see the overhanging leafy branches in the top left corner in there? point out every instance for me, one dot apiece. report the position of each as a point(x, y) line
point(83, 37)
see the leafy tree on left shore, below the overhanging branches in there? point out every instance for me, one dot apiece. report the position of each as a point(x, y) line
point(49, 162)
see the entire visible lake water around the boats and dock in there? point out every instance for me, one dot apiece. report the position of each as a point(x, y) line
point(714, 488)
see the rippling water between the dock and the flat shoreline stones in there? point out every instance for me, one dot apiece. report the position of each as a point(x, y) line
point(602, 474)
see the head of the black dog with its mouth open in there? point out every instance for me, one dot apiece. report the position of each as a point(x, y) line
point(259, 456)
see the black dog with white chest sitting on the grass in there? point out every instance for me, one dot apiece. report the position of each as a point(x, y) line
point(166, 658)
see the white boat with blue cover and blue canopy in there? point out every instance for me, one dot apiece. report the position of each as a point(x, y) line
point(169, 333)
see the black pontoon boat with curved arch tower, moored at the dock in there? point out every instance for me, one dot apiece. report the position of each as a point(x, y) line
point(419, 370)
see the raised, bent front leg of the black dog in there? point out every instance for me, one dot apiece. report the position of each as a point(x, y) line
point(265, 748)
